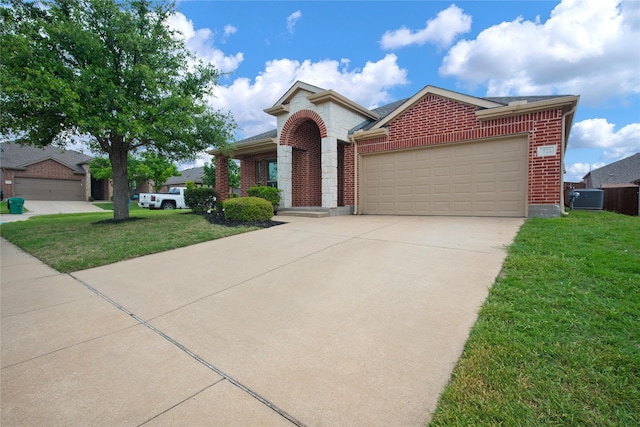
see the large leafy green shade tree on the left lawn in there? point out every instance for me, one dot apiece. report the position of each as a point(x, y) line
point(110, 69)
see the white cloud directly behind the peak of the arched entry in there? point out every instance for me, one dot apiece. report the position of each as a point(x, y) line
point(367, 86)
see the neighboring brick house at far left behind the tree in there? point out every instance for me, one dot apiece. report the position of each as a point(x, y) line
point(48, 173)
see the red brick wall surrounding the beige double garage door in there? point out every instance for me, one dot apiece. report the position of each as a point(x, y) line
point(436, 120)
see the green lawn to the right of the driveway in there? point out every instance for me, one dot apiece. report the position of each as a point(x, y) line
point(557, 342)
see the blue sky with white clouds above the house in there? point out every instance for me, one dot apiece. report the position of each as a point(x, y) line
point(376, 52)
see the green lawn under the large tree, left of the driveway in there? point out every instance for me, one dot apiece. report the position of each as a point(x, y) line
point(79, 241)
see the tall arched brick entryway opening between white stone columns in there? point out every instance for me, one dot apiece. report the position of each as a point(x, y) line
point(306, 167)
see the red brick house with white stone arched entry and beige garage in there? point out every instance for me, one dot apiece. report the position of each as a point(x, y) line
point(437, 153)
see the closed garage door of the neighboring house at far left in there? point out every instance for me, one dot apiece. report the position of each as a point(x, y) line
point(48, 189)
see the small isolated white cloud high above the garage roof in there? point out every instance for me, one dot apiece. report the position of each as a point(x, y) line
point(441, 30)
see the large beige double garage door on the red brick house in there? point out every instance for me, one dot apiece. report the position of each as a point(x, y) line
point(485, 178)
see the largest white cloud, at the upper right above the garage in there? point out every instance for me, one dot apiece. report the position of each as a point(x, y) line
point(588, 48)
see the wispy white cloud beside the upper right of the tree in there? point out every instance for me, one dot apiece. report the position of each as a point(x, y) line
point(200, 42)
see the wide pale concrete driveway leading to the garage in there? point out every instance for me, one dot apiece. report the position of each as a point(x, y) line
point(334, 321)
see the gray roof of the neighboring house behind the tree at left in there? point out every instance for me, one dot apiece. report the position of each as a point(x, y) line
point(16, 156)
